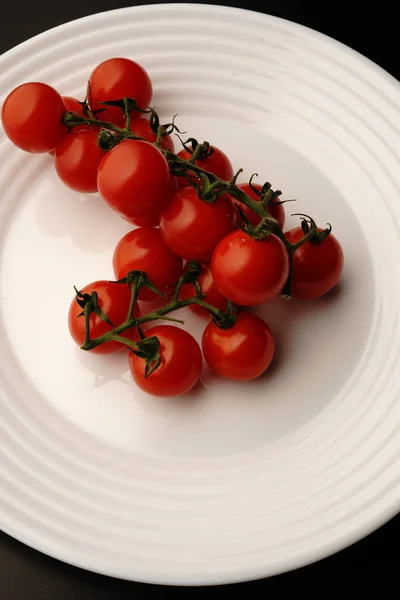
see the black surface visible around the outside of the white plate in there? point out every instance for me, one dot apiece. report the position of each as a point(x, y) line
point(28, 575)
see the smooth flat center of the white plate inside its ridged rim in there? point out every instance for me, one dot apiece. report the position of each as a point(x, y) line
point(59, 238)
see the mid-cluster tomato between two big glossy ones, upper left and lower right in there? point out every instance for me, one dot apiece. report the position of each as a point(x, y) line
point(192, 228)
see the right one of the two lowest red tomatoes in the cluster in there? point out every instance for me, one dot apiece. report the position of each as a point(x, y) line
point(242, 352)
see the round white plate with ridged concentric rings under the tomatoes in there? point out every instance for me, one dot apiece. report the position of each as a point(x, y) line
point(235, 481)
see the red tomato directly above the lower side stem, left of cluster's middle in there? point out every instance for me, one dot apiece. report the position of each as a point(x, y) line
point(143, 249)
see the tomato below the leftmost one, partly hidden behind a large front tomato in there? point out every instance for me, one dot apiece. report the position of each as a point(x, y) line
point(77, 160)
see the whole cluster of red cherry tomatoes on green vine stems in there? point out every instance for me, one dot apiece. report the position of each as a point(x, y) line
point(245, 257)
